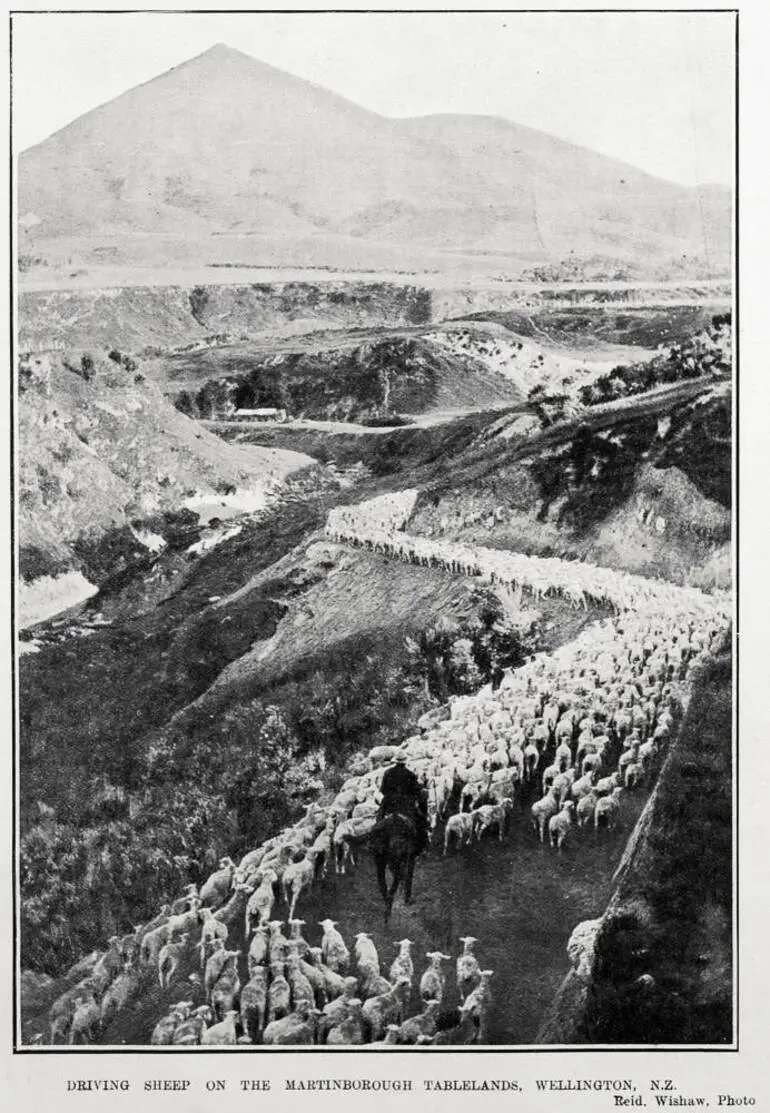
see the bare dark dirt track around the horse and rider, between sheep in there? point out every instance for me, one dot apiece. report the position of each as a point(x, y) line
point(521, 901)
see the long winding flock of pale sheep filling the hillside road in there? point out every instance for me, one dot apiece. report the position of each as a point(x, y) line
point(576, 730)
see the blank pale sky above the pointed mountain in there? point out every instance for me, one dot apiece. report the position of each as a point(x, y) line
point(653, 90)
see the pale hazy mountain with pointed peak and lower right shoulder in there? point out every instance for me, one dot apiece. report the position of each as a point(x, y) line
point(228, 160)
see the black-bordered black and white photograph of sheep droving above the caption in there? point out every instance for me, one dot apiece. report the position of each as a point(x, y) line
point(374, 519)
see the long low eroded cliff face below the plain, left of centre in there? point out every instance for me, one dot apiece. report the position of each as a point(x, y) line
point(141, 318)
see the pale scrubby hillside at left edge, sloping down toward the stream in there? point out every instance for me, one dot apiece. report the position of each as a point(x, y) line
point(101, 449)
